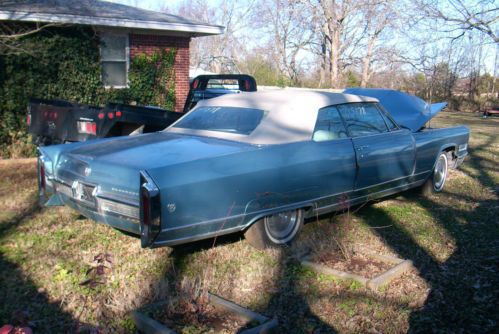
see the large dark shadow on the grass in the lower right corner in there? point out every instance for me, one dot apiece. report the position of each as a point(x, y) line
point(464, 289)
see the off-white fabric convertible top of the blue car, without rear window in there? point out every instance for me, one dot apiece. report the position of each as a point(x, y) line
point(290, 114)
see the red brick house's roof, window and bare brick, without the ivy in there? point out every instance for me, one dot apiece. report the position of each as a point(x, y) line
point(125, 31)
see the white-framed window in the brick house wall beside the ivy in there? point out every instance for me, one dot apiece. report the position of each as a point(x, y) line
point(114, 60)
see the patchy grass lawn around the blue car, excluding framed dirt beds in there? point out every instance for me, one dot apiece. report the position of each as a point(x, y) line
point(60, 272)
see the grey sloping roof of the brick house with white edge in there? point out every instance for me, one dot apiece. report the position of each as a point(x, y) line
point(101, 13)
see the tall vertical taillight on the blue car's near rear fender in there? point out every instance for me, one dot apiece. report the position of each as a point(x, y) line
point(150, 210)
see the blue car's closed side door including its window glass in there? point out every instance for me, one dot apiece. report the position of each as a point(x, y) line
point(385, 153)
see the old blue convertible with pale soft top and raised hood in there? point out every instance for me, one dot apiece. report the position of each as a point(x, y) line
point(259, 163)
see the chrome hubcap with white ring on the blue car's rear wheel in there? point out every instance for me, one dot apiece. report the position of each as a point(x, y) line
point(282, 227)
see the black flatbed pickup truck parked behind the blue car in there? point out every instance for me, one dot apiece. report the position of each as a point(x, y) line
point(56, 122)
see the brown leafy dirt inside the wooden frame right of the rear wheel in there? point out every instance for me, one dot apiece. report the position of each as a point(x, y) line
point(357, 264)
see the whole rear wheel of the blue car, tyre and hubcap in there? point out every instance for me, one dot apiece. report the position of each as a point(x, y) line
point(275, 230)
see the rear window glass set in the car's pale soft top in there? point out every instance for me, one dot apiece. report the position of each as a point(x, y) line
point(225, 119)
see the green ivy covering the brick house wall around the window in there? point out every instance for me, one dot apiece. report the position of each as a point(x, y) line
point(63, 63)
